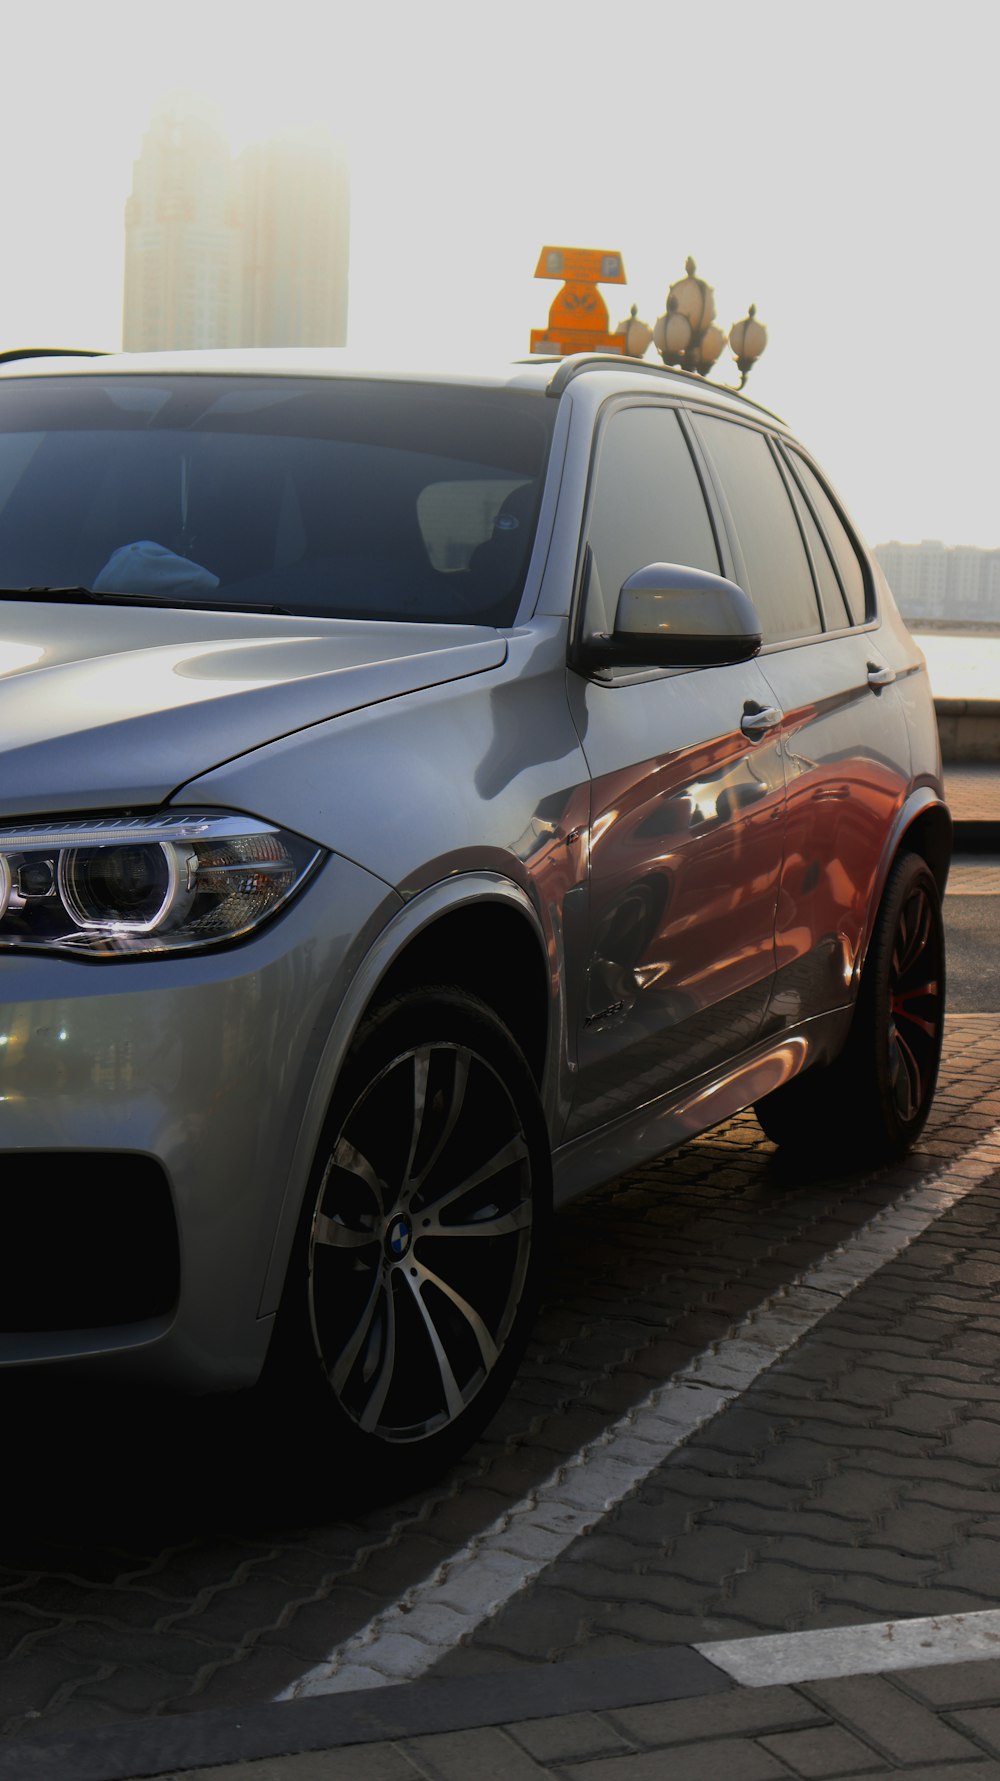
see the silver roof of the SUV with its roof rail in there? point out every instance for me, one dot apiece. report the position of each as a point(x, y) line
point(534, 373)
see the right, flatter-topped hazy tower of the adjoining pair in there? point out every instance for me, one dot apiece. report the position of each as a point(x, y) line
point(295, 213)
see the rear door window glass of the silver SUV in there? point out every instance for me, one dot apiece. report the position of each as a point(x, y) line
point(778, 569)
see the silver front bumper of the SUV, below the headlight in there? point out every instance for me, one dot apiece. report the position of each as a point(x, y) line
point(208, 1064)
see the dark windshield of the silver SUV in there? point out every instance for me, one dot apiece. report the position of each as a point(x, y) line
point(316, 496)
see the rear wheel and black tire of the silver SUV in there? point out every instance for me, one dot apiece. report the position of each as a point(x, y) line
point(873, 1103)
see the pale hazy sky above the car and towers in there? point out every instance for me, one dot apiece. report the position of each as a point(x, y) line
point(837, 165)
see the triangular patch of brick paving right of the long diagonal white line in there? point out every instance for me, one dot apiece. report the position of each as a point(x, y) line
point(857, 1481)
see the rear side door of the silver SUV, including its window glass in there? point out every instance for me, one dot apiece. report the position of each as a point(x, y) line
point(842, 724)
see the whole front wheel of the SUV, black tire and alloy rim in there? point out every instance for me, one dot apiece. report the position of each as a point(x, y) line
point(422, 1246)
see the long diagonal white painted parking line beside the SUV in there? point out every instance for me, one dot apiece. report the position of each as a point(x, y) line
point(407, 1639)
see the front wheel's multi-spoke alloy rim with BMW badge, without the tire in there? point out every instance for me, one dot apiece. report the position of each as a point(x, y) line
point(420, 1242)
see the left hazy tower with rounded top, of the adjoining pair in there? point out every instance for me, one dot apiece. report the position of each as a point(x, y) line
point(183, 240)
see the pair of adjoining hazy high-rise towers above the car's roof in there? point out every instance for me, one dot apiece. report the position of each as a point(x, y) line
point(234, 254)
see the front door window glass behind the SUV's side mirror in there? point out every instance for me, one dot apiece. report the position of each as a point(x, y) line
point(648, 507)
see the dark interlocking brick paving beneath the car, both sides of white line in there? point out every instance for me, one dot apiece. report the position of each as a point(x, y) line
point(167, 1561)
